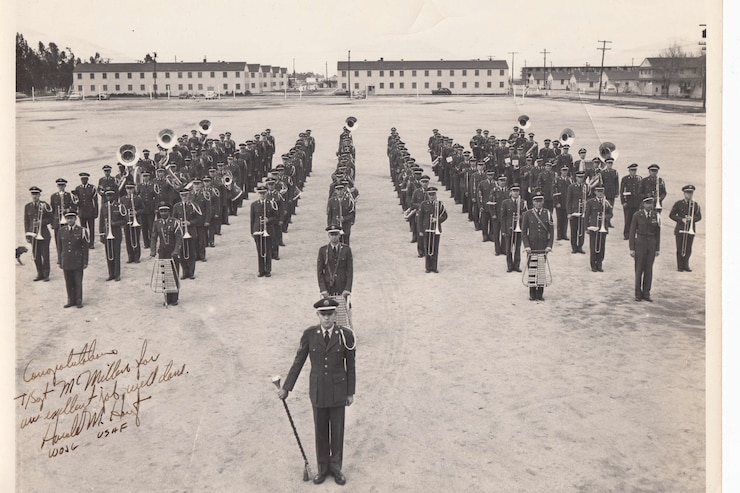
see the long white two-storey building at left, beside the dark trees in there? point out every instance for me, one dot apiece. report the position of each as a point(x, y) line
point(224, 78)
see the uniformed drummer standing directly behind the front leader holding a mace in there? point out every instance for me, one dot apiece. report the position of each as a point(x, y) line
point(334, 266)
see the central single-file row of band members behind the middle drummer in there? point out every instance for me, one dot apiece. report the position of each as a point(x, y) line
point(342, 203)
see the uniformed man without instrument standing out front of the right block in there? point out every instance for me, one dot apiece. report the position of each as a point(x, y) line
point(644, 247)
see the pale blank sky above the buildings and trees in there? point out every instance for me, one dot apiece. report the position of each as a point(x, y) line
point(316, 34)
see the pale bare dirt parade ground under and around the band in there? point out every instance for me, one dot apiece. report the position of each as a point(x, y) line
point(463, 384)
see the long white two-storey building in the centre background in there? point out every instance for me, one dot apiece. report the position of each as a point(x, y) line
point(385, 77)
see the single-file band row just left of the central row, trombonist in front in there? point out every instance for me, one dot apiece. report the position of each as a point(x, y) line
point(272, 212)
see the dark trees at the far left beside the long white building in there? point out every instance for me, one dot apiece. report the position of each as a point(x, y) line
point(47, 68)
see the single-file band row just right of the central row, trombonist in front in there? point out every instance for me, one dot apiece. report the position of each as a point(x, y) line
point(418, 200)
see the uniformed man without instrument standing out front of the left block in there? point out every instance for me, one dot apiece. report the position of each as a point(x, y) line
point(73, 244)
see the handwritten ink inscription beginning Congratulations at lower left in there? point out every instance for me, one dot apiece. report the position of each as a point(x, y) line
point(92, 395)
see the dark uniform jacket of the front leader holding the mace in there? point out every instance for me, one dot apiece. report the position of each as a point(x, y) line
point(332, 376)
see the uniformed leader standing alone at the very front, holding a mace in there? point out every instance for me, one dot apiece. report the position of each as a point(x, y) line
point(332, 385)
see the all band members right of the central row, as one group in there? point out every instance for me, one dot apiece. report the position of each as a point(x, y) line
point(516, 192)
